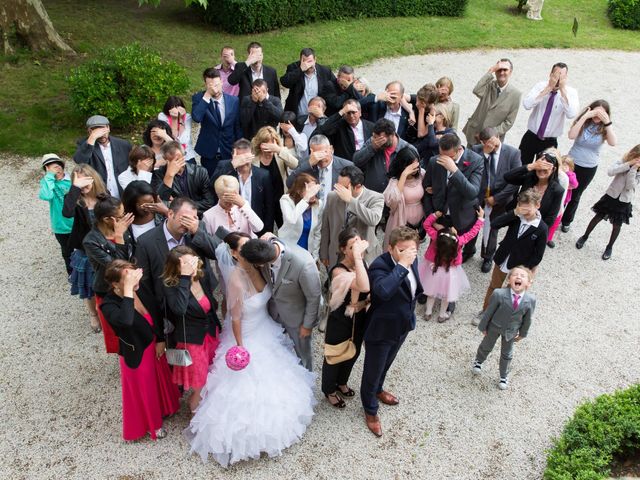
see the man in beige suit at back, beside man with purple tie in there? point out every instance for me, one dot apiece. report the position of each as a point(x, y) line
point(499, 103)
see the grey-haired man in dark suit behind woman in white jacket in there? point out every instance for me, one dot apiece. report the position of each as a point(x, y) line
point(322, 164)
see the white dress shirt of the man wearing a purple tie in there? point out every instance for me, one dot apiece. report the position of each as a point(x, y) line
point(560, 112)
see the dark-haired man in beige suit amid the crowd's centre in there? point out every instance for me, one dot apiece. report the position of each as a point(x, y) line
point(350, 205)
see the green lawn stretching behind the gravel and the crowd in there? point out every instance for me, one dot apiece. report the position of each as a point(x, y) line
point(36, 115)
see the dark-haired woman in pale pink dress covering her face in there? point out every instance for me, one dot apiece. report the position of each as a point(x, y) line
point(404, 193)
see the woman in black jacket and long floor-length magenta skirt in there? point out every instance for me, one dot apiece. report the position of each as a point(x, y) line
point(148, 394)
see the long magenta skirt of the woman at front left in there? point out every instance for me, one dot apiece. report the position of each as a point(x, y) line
point(148, 395)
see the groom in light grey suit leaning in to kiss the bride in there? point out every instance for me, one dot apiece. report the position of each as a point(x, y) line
point(295, 288)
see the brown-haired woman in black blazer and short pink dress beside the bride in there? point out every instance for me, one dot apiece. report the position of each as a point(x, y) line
point(191, 308)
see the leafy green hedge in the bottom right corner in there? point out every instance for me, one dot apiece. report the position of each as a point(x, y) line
point(599, 430)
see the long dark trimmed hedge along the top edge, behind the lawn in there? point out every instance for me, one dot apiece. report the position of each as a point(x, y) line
point(253, 16)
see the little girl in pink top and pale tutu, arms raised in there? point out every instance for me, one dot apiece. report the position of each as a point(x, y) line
point(441, 272)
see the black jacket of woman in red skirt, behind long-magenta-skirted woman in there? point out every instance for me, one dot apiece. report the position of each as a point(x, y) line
point(102, 252)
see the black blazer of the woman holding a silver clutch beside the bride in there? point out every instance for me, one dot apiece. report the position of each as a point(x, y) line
point(187, 315)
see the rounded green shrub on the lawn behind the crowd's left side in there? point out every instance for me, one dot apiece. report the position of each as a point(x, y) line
point(128, 85)
